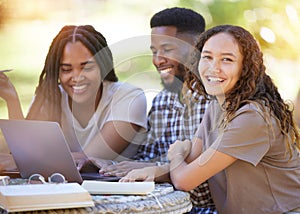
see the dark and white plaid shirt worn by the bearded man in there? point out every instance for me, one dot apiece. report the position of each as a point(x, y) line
point(170, 120)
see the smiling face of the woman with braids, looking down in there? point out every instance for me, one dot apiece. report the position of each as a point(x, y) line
point(79, 73)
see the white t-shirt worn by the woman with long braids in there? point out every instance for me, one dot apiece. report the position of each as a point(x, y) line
point(119, 102)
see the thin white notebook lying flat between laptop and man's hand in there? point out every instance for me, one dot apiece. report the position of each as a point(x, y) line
point(124, 188)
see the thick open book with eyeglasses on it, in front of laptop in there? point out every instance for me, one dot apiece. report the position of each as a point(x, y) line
point(15, 198)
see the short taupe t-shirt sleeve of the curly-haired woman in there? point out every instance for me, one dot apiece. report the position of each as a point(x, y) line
point(246, 137)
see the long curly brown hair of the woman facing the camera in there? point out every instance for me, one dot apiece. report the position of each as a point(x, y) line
point(254, 85)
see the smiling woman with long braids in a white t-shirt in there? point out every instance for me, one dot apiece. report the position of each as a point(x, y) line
point(78, 88)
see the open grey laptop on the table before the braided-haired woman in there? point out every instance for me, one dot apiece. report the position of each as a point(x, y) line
point(40, 147)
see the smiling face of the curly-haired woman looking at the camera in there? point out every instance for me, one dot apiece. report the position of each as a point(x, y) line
point(220, 65)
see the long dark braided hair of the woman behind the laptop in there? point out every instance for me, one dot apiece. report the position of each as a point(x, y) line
point(47, 101)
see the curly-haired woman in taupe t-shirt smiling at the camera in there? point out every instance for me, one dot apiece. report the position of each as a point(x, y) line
point(247, 145)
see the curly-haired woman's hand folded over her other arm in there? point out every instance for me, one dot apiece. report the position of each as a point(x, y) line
point(179, 148)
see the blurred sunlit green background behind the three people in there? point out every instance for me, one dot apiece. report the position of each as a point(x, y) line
point(27, 28)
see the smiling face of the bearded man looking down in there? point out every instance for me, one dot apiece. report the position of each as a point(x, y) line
point(169, 53)
